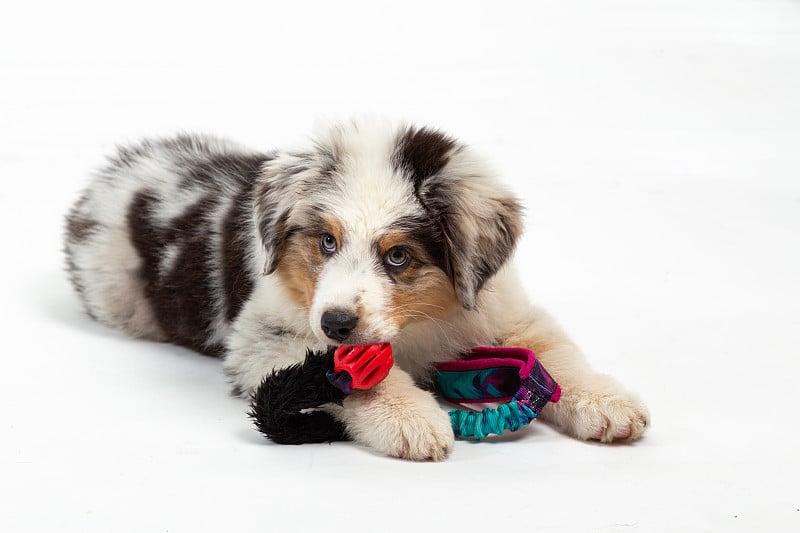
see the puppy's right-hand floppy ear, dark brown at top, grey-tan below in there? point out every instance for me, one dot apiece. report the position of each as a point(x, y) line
point(478, 219)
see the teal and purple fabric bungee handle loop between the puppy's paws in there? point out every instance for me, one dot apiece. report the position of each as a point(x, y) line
point(509, 376)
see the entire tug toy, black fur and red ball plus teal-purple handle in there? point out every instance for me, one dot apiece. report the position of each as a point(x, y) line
point(285, 405)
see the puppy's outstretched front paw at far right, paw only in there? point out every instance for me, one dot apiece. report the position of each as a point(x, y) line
point(599, 409)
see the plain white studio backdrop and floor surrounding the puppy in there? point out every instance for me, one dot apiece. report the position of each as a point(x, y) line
point(655, 145)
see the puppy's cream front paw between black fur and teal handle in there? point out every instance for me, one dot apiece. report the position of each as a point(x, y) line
point(398, 419)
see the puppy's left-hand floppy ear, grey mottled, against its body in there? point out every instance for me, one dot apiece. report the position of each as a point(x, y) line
point(281, 186)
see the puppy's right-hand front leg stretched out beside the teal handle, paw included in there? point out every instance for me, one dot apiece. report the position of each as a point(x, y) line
point(592, 406)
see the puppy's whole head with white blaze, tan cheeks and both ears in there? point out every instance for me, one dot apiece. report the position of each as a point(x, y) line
point(374, 227)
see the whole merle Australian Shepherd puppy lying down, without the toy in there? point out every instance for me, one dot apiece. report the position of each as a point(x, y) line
point(371, 233)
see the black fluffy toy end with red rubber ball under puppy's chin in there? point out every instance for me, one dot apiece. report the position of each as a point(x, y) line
point(284, 405)
